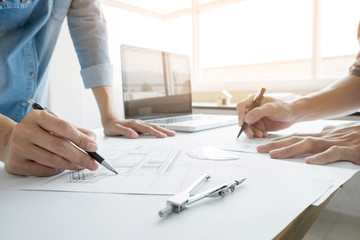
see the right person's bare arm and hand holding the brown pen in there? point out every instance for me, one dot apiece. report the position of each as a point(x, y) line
point(340, 98)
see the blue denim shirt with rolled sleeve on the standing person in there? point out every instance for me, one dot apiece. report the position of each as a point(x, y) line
point(28, 33)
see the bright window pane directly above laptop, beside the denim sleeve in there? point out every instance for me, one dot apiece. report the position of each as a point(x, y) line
point(126, 27)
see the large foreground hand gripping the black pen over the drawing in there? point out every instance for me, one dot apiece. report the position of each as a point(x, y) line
point(39, 146)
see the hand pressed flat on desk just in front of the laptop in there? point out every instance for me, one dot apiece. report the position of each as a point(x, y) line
point(131, 128)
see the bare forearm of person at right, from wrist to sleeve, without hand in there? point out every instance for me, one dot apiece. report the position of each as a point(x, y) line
point(338, 99)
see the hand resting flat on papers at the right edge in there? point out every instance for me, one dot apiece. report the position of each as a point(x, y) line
point(333, 143)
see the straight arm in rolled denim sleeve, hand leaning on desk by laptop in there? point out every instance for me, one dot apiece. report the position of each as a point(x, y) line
point(89, 34)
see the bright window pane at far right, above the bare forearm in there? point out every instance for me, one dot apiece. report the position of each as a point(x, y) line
point(338, 42)
